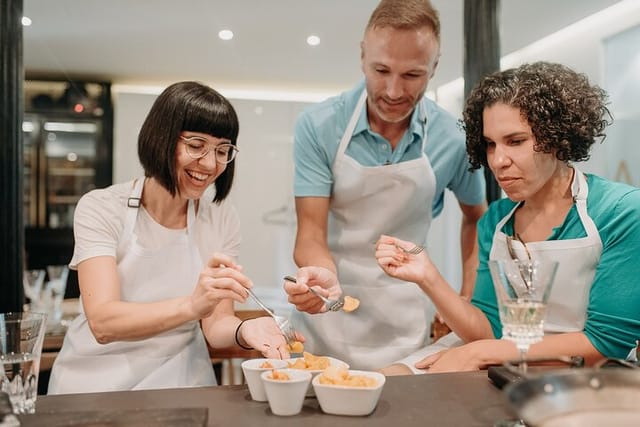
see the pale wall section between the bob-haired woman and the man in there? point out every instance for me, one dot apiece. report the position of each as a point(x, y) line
point(263, 193)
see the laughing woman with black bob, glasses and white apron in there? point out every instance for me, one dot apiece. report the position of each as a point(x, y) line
point(156, 259)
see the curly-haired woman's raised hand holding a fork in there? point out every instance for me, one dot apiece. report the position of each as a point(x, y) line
point(399, 264)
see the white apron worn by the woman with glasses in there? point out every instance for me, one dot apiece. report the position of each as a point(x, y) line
point(176, 358)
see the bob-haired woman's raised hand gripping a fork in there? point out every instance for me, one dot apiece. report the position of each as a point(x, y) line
point(221, 279)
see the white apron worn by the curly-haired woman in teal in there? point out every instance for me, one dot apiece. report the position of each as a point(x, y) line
point(578, 260)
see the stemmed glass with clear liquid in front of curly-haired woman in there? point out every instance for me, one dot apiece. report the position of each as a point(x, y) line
point(522, 290)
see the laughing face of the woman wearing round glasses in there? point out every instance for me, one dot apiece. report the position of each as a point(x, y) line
point(195, 175)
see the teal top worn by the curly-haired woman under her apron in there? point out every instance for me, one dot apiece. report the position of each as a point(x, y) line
point(613, 311)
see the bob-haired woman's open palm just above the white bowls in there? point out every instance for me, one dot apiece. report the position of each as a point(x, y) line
point(264, 335)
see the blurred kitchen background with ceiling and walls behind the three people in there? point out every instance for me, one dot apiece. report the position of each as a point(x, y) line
point(94, 68)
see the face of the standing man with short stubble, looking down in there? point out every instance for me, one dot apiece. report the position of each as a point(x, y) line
point(397, 65)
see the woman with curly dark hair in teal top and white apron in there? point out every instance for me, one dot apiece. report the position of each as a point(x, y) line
point(528, 125)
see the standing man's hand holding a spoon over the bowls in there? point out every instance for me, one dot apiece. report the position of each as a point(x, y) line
point(325, 282)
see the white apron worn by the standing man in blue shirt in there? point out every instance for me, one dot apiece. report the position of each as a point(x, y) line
point(393, 318)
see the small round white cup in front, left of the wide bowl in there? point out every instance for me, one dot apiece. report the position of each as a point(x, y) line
point(286, 396)
